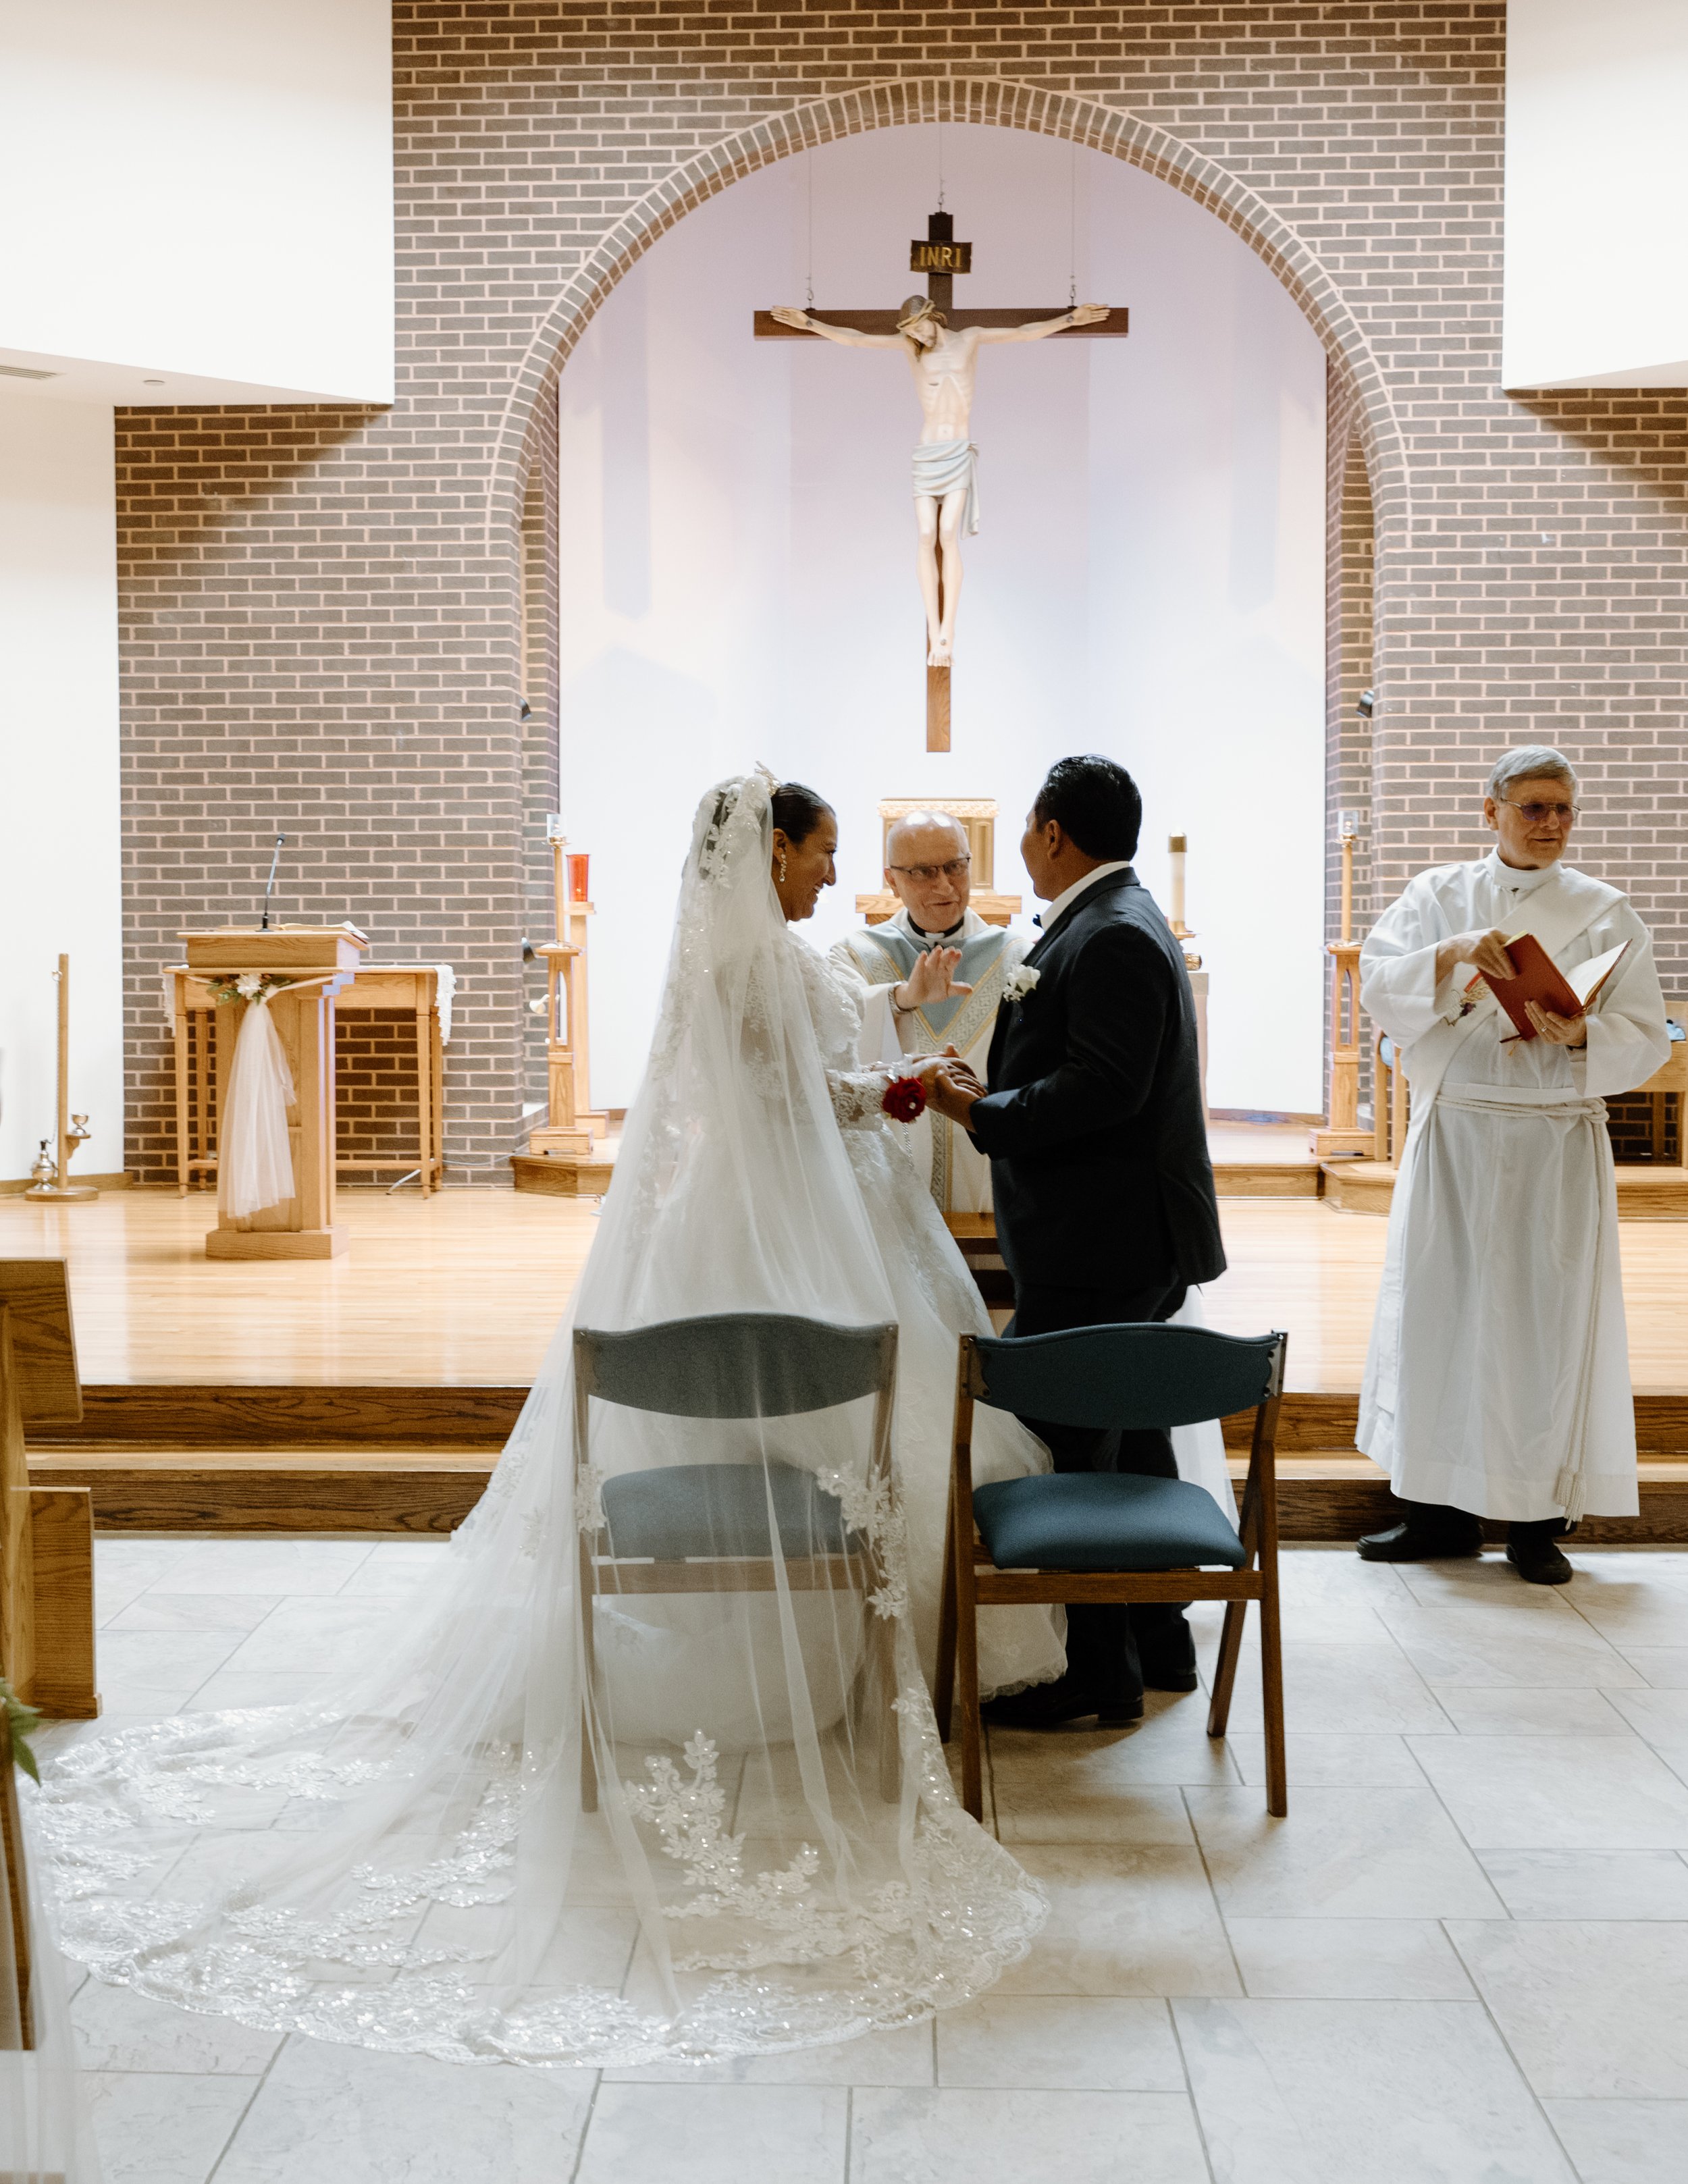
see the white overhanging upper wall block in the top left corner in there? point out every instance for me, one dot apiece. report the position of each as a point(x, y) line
point(198, 191)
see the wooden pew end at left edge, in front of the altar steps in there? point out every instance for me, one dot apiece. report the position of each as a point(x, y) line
point(47, 1534)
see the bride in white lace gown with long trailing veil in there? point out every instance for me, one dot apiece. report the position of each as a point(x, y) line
point(737, 1831)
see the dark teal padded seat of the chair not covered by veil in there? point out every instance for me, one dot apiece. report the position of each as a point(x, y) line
point(1104, 1521)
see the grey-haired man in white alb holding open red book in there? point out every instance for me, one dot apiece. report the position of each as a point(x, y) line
point(1499, 1370)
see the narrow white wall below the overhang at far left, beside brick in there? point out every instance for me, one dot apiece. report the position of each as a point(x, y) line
point(60, 776)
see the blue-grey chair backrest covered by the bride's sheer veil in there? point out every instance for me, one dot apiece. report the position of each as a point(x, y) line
point(737, 1366)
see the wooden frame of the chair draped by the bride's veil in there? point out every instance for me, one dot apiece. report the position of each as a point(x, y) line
point(604, 1574)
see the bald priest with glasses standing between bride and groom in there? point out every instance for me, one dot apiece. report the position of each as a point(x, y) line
point(938, 977)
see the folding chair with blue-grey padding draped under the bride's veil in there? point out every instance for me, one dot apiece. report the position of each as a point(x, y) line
point(704, 1528)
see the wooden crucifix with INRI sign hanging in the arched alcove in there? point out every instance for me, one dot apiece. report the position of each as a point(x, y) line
point(942, 346)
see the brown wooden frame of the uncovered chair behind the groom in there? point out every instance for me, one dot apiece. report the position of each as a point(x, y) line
point(973, 1582)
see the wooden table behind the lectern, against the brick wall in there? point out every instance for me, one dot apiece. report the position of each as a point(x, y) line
point(379, 986)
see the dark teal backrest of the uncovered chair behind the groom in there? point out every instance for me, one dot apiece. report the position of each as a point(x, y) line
point(1134, 1375)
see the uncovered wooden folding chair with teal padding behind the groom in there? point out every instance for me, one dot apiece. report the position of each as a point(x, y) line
point(1113, 1536)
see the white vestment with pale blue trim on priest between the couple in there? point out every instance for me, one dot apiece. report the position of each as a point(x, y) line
point(883, 955)
